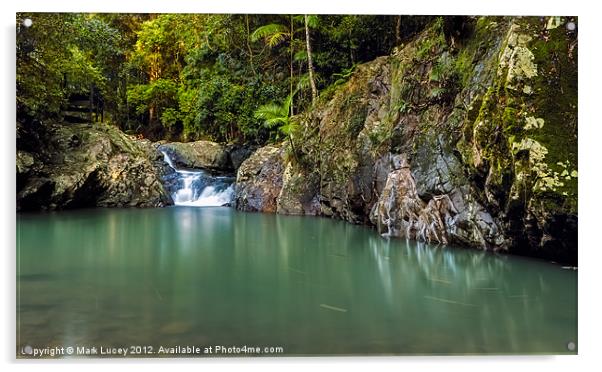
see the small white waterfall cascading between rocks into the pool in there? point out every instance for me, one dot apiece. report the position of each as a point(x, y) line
point(197, 188)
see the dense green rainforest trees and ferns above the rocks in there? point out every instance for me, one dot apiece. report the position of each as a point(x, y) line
point(192, 76)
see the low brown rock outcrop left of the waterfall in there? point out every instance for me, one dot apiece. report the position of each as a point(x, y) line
point(83, 165)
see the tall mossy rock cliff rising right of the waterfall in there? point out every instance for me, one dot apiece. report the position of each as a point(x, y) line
point(469, 141)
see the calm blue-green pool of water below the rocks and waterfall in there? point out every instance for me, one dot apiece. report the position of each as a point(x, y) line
point(215, 276)
